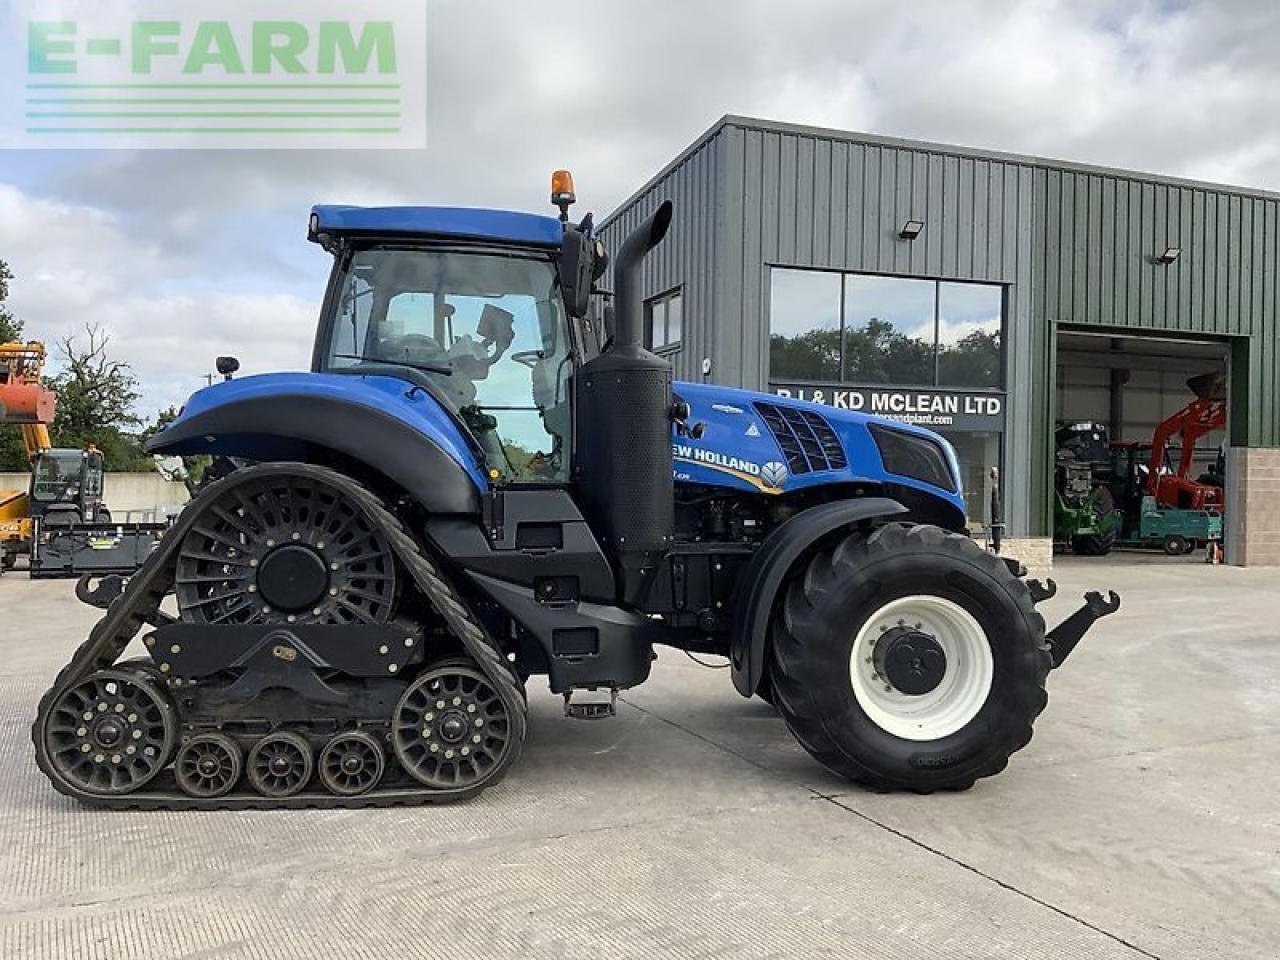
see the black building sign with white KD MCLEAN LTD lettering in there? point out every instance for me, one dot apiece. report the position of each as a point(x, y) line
point(939, 409)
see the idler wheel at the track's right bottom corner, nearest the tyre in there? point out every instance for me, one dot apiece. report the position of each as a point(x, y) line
point(451, 729)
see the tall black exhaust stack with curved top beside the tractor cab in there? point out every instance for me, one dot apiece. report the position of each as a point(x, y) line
point(623, 403)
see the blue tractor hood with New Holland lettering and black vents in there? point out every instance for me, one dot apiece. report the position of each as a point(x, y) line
point(771, 445)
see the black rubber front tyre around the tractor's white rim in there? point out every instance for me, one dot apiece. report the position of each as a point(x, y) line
point(833, 598)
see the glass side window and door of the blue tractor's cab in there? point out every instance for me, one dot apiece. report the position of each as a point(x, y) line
point(488, 330)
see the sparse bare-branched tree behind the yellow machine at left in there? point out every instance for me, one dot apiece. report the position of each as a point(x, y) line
point(95, 403)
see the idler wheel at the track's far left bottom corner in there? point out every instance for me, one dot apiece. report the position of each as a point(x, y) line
point(111, 734)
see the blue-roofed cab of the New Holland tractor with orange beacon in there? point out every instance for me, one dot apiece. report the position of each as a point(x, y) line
point(479, 303)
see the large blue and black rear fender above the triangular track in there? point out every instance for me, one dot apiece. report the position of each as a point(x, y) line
point(392, 427)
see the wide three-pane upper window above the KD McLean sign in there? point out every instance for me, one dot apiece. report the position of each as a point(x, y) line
point(884, 331)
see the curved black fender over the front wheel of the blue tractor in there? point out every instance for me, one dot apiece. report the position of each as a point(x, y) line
point(761, 582)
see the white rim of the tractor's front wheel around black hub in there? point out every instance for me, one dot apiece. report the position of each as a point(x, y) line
point(966, 683)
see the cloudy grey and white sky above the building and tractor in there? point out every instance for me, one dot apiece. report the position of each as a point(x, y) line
point(185, 255)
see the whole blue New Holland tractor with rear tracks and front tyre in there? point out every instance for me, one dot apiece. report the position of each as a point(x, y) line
point(470, 490)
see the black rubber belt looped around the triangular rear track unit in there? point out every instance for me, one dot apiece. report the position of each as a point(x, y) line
point(153, 583)
